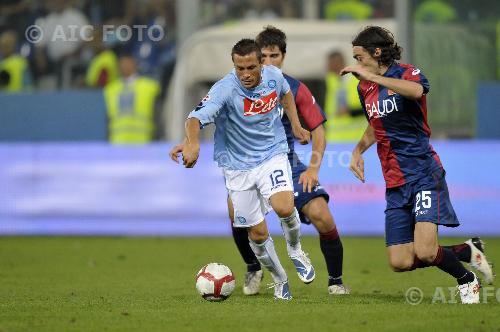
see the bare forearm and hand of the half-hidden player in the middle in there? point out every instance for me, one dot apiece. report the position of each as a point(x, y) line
point(309, 178)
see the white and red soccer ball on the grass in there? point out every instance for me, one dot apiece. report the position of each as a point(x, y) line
point(215, 282)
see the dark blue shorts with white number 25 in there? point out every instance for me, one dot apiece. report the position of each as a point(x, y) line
point(426, 199)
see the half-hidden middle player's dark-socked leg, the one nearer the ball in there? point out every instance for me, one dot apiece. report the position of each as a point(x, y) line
point(254, 275)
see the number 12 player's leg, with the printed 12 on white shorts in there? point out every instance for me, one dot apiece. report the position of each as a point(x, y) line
point(276, 187)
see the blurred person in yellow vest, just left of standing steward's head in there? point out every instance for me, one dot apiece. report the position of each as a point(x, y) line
point(103, 68)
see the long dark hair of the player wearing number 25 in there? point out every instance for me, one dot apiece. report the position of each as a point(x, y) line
point(374, 36)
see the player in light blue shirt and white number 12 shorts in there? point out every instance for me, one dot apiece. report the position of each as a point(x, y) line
point(251, 148)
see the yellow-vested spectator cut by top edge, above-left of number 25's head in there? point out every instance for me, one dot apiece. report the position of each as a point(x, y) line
point(347, 10)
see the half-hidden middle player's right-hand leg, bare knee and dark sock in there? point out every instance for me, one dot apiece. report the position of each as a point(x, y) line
point(316, 210)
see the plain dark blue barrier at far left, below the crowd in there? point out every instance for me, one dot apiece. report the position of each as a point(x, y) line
point(53, 116)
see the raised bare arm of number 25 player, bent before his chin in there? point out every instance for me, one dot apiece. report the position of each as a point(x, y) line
point(405, 88)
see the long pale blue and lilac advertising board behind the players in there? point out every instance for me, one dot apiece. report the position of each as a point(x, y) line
point(99, 189)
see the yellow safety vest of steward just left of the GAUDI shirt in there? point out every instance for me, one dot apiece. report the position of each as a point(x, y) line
point(343, 128)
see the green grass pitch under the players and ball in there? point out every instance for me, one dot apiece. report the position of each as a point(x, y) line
point(147, 284)
